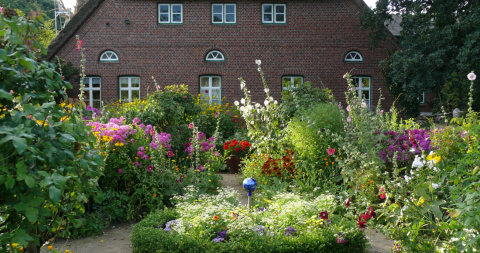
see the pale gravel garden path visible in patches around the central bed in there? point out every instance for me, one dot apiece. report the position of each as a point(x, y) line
point(116, 238)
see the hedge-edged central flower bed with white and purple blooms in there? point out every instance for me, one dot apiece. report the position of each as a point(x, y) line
point(215, 223)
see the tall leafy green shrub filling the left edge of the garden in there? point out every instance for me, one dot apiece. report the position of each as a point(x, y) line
point(48, 167)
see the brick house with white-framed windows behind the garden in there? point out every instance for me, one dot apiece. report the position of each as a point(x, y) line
point(208, 45)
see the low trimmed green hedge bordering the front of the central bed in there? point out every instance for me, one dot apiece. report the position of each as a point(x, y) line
point(147, 236)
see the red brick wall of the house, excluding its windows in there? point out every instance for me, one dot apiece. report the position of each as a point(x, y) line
point(313, 44)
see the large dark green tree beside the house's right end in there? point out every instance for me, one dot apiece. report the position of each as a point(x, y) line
point(441, 42)
